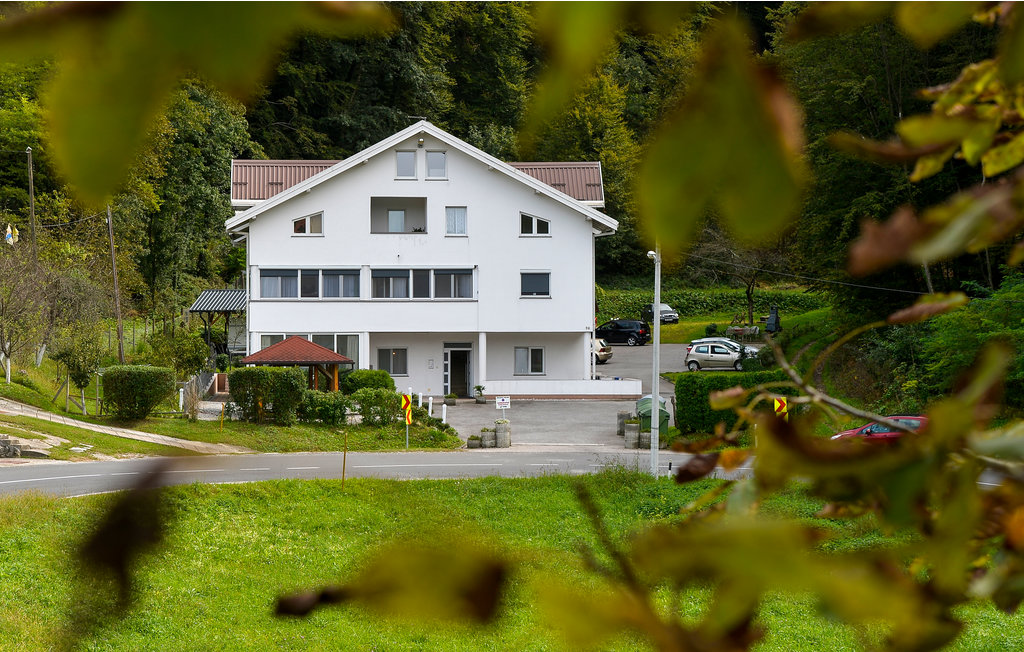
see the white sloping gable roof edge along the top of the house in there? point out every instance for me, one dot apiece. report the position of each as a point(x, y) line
point(601, 222)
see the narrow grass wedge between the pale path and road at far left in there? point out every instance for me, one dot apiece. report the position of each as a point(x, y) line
point(103, 446)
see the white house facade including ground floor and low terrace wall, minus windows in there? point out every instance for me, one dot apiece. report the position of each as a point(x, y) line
point(355, 203)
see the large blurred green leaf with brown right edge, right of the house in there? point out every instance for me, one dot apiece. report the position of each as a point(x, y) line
point(736, 144)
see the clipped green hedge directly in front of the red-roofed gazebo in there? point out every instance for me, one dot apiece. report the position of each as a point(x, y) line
point(257, 389)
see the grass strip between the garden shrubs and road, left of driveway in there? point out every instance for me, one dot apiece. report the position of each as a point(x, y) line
point(298, 438)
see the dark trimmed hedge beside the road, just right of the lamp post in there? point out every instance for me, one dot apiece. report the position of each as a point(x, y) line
point(694, 413)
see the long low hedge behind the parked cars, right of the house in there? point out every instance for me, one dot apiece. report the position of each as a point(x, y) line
point(628, 303)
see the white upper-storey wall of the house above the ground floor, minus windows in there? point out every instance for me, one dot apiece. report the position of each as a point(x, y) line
point(493, 248)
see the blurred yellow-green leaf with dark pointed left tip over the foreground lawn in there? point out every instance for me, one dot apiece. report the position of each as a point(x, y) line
point(444, 580)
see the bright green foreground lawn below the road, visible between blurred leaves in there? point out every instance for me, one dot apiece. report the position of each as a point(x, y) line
point(232, 549)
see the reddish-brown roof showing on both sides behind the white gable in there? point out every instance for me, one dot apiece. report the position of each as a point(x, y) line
point(255, 181)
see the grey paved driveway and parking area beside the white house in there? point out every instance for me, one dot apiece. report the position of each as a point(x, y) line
point(575, 424)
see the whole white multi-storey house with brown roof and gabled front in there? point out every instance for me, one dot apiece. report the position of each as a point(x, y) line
point(429, 258)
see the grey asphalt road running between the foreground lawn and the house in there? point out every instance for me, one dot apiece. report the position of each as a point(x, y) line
point(70, 480)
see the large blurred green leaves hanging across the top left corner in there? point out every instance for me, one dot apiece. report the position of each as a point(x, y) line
point(119, 64)
